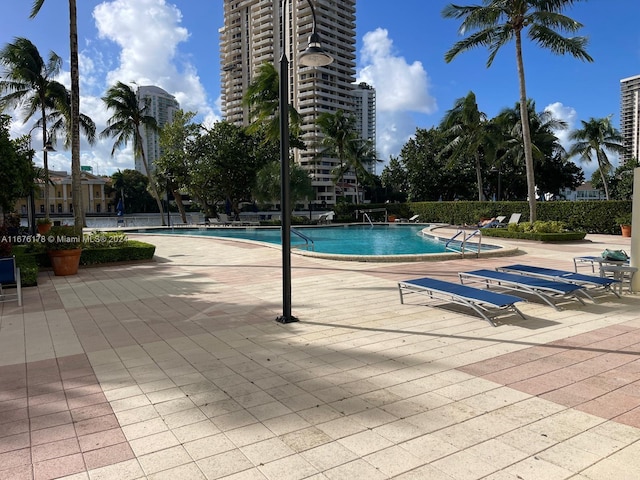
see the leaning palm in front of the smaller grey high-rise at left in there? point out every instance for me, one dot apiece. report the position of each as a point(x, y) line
point(125, 124)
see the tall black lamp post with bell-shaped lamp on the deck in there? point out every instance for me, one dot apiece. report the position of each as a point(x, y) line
point(313, 56)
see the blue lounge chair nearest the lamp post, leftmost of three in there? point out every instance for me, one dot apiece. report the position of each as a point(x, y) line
point(485, 303)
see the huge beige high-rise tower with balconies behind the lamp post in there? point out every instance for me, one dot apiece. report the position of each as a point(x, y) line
point(251, 36)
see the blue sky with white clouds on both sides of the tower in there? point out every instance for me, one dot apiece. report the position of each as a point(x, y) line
point(400, 50)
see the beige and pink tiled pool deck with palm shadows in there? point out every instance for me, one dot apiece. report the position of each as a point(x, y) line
point(176, 369)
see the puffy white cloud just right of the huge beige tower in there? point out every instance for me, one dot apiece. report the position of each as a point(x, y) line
point(402, 89)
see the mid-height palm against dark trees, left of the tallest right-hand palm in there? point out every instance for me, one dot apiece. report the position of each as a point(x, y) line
point(466, 125)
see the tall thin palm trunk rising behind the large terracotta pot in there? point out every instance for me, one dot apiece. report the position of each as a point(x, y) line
point(78, 211)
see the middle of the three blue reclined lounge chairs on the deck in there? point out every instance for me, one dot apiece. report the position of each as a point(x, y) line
point(545, 290)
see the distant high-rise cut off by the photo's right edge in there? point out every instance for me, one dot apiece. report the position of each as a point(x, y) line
point(630, 116)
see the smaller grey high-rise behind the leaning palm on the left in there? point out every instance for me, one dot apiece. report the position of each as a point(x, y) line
point(161, 106)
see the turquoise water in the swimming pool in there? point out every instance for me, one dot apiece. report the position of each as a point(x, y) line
point(341, 240)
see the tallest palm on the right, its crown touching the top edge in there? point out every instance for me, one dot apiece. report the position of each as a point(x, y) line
point(497, 22)
